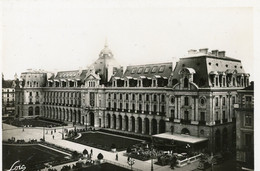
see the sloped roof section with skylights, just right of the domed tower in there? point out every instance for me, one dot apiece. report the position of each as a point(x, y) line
point(148, 70)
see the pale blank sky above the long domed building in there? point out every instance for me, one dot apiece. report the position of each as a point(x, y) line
point(69, 34)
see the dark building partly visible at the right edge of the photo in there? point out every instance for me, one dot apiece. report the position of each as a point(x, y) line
point(245, 127)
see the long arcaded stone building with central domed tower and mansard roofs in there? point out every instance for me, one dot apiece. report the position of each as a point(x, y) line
point(194, 96)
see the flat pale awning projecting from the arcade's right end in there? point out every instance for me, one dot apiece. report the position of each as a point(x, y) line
point(181, 138)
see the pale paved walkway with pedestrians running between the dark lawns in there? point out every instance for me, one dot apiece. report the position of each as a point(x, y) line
point(37, 133)
